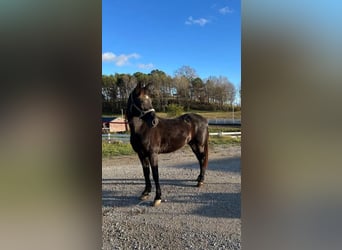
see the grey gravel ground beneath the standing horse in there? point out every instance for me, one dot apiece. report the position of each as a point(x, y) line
point(188, 218)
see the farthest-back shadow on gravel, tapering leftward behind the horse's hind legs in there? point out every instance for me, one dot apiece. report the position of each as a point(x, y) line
point(224, 164)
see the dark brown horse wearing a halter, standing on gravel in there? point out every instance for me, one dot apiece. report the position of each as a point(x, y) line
point(152, 135)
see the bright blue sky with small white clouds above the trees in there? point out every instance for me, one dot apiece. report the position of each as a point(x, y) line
point(139, 36)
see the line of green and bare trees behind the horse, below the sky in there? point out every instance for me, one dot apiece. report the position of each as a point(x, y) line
point(185, 88)
